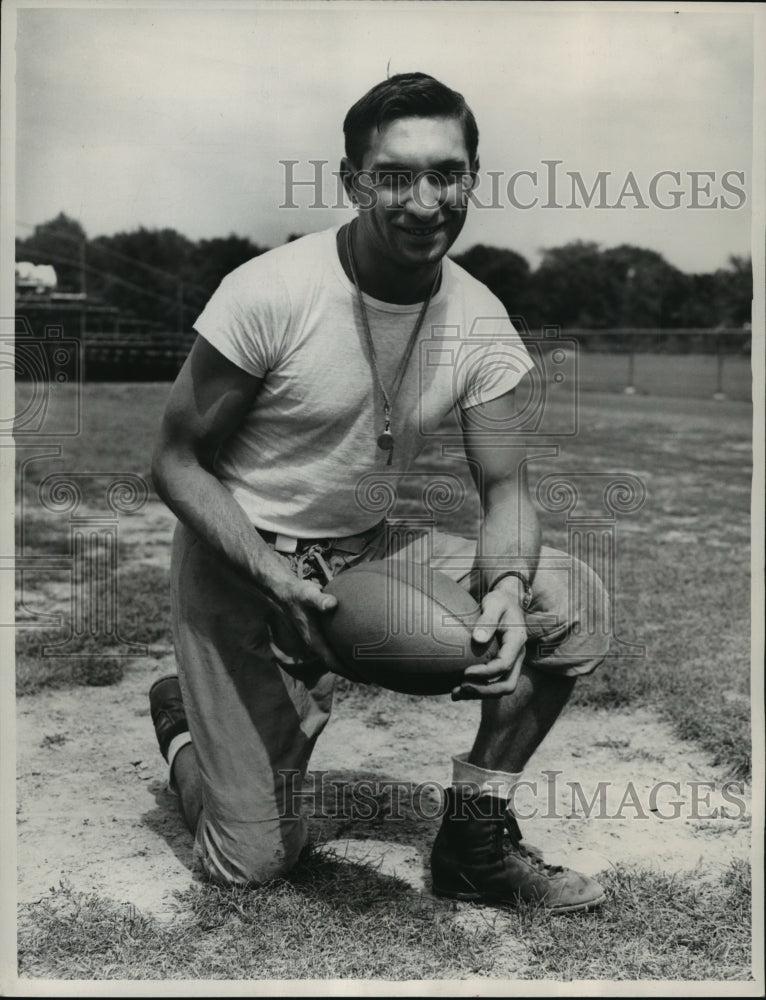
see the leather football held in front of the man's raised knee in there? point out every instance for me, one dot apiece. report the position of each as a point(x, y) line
point(404, 627)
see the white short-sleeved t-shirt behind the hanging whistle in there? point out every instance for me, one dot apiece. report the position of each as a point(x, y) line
point(291, 318)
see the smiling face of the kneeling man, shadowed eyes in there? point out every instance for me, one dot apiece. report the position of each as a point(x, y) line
point(412, 190)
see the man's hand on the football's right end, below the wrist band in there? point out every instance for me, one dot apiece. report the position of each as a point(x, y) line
point(501, 614)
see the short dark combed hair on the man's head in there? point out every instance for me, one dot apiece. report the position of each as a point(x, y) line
point(406, 95)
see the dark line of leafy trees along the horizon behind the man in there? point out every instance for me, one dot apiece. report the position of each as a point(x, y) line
point(161, 276)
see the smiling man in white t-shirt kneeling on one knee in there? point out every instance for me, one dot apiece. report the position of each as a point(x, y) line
point(304, 380)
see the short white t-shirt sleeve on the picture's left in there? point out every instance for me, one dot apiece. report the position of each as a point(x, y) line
point(247, 317)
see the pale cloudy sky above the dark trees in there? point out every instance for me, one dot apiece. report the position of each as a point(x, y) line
point(180, 116)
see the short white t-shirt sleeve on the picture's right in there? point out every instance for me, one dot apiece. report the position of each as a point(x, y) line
point(491, 364)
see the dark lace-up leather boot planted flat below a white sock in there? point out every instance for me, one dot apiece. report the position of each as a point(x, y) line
point(479, 856)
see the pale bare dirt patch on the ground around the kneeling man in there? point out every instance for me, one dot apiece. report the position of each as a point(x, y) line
point(93, 810)
